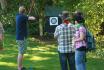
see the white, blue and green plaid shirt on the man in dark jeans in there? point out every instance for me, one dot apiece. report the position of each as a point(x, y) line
point(64, 34)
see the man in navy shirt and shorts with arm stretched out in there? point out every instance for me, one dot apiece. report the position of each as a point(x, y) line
point(21, 34)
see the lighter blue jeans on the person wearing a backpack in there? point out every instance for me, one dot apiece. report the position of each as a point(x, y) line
point(80, 60)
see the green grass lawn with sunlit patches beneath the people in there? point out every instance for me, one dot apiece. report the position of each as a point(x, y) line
point(40, 55)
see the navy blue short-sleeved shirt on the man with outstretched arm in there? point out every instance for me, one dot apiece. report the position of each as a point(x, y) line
point(21, 26)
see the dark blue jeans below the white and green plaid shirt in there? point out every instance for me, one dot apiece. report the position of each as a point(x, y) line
point(67, 57)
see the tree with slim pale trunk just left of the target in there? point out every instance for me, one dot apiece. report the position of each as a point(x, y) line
point(39, 6)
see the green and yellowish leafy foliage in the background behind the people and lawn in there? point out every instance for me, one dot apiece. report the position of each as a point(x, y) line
point(93, 11)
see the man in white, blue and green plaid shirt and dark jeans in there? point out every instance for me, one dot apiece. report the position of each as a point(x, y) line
point(64, 34)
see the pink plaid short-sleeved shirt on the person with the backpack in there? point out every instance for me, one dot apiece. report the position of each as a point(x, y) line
point(81, 43)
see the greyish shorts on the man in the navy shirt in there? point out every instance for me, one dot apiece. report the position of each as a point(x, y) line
point(22, 46)
